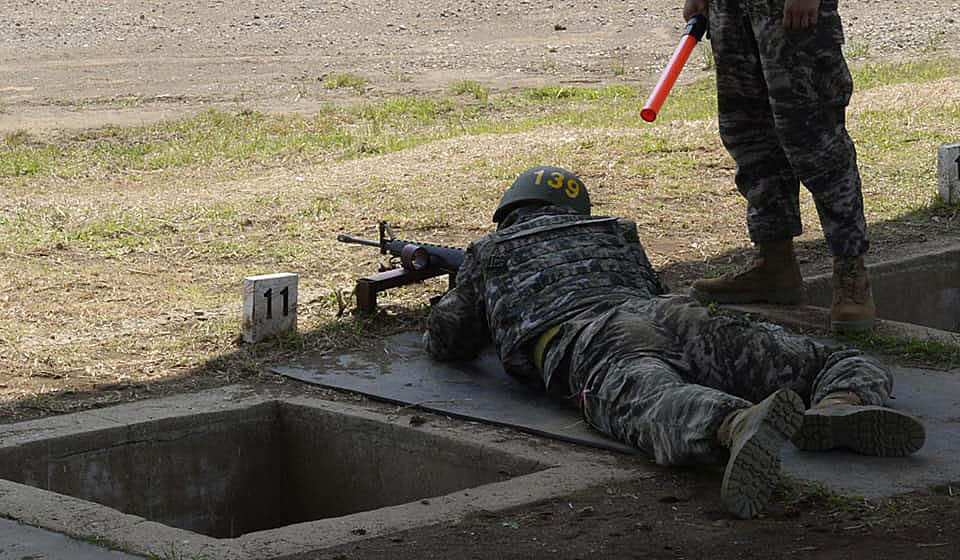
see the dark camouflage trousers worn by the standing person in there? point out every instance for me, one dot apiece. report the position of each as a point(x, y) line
point(782, 98)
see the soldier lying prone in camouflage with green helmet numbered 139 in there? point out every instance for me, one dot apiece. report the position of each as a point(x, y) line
point(572, 300)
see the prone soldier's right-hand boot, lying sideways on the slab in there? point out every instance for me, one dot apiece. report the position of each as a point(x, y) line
point(839, 420)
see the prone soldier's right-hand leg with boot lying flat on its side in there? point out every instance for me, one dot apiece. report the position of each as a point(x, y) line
point(848, 390)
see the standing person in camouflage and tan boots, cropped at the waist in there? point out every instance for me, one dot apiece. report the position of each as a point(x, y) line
point(782, 91)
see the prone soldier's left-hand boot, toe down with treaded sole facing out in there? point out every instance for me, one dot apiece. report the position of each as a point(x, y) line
point(755, 436)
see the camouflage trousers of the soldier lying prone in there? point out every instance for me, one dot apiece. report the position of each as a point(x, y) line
point(662, 374)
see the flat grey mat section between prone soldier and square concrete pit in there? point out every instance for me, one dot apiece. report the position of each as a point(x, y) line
point(400, 371)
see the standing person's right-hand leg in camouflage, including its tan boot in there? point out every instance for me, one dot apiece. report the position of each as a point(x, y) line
point(810, 86)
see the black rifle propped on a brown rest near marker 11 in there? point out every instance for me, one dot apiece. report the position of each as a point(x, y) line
point(418, 262)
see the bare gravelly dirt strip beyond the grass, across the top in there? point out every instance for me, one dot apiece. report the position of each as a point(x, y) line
point(83, 63)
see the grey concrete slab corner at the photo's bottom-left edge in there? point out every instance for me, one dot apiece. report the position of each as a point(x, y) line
point(20, 542)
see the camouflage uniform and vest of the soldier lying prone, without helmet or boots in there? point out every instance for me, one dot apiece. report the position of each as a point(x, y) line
point(654, 371)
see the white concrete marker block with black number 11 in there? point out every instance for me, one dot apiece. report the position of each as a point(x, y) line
point(269, 305)
